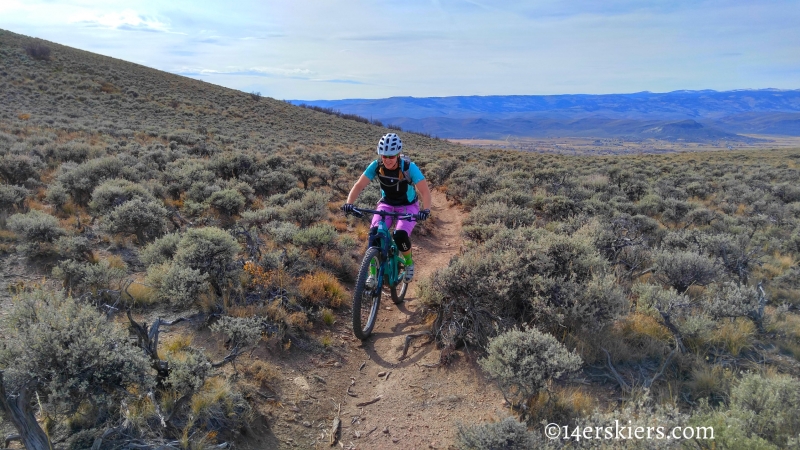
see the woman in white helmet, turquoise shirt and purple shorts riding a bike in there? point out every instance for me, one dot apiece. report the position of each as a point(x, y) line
point(398, 195)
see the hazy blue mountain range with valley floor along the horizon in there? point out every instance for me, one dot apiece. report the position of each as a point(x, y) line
point(694, 116)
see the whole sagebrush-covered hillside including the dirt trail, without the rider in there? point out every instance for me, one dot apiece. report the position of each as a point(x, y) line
point(177, 274)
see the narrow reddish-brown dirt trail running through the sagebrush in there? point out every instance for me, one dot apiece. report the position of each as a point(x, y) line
point(419, 403)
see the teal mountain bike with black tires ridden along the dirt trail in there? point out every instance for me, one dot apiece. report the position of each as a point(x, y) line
point(388, 268)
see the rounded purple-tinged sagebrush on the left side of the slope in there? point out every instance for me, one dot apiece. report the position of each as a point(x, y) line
point(145, 219)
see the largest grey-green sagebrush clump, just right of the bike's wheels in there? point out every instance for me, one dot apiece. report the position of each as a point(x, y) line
point(521, 276)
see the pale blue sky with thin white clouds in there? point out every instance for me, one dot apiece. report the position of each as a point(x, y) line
point(336, 49)
